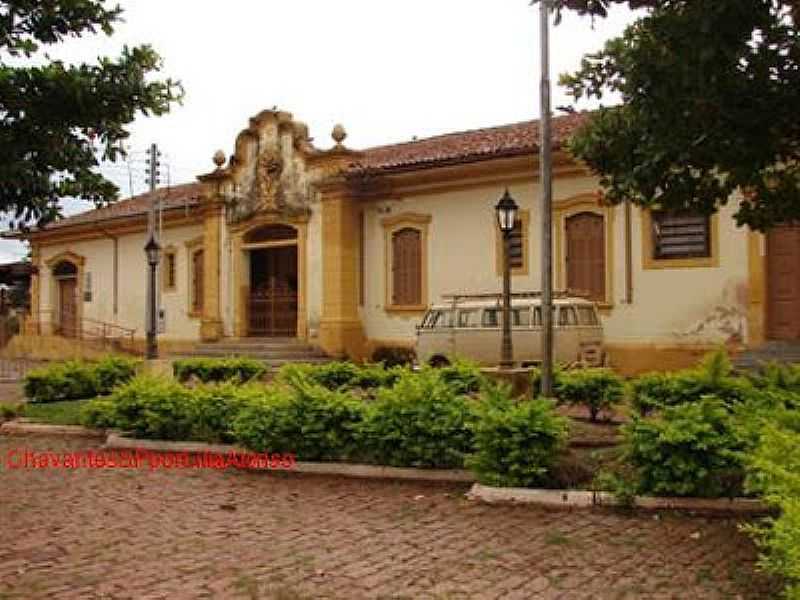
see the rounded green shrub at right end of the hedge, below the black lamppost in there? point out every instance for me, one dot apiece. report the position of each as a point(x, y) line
point(515, 444)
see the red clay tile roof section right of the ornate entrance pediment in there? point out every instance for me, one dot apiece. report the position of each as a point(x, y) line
point(467, 146)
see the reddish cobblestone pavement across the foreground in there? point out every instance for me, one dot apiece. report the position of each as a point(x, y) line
point(210, 534)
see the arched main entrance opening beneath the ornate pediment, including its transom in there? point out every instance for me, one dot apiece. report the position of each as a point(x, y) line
point(273, 275)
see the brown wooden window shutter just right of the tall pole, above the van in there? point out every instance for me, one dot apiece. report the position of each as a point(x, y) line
point(586, 255)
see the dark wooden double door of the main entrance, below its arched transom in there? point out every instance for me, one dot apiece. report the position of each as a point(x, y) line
point(273, 292)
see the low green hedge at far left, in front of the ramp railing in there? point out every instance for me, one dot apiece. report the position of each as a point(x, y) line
point(76, 380)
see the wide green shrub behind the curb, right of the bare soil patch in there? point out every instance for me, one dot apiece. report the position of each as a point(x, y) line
point(688, 450)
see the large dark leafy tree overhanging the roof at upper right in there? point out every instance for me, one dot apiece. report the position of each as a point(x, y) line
point(710, 95)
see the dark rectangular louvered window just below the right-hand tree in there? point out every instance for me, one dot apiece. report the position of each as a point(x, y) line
point(681, 235)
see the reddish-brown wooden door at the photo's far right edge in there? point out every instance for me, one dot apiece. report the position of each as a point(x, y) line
point(783, 283)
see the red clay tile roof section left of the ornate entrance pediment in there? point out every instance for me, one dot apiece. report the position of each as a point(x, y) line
point(178, 196)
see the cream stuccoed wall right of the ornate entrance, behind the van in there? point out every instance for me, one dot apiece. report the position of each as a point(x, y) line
point(688, 305)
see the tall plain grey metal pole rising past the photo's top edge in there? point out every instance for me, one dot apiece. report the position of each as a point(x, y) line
point(545, 163)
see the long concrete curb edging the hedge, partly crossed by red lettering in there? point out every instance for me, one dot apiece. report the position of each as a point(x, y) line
point(117, 441)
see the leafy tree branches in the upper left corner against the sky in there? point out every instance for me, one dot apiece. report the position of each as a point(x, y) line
point(57, 121)
